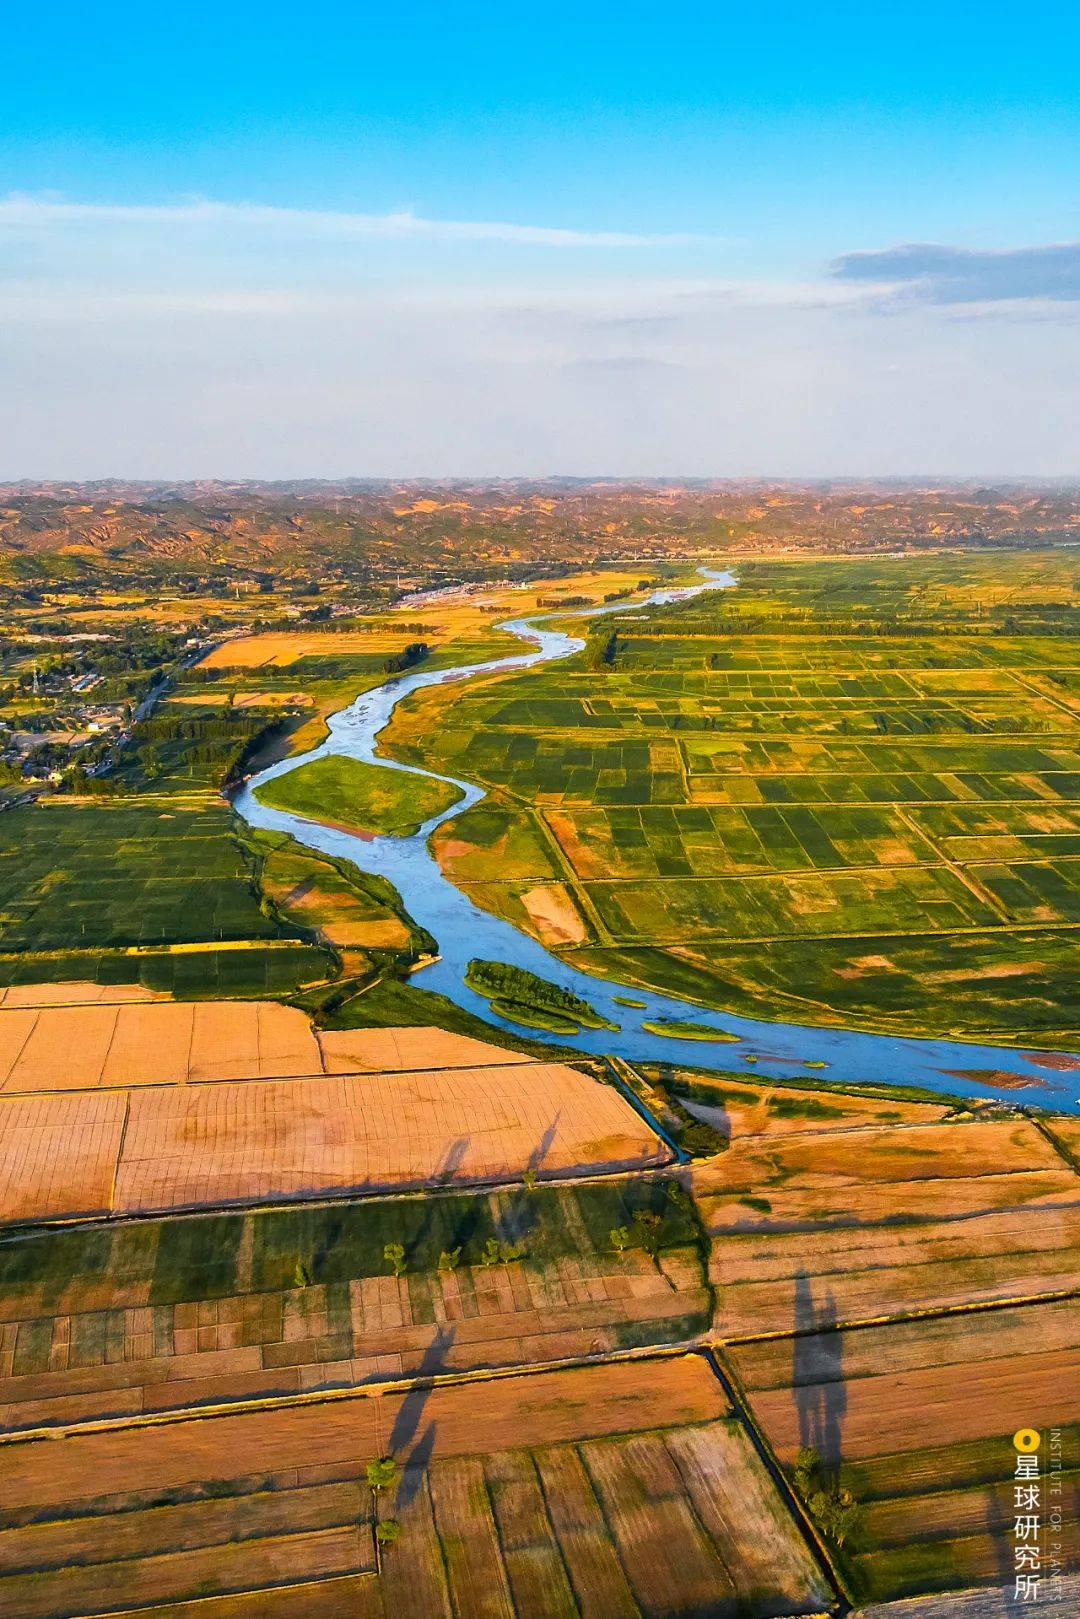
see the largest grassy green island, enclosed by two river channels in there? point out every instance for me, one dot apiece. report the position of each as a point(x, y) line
point(359, 796)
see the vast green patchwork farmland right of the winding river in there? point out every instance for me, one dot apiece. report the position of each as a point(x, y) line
point(846, 793)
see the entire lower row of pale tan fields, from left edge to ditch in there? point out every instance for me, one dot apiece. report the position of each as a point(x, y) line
point(263, 1141)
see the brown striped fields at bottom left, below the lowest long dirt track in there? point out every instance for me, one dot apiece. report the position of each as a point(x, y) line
point(600, 1492)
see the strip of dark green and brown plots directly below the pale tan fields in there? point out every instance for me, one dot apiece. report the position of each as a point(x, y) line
point(103, 1322)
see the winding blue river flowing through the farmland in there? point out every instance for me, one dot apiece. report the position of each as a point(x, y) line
point(466, 932)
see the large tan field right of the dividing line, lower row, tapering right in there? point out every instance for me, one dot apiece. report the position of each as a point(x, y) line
point(258, 1142)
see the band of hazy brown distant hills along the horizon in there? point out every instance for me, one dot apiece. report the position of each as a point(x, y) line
point(375, 532)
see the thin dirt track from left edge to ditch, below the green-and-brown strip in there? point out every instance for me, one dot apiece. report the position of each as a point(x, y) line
point(355, 1392)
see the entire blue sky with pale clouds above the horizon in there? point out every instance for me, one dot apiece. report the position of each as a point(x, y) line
point(449, 240)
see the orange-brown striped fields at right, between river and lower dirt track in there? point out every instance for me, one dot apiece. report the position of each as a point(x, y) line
point(888, 1220)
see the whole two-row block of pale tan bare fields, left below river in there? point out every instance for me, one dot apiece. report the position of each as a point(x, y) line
point(150, 1107)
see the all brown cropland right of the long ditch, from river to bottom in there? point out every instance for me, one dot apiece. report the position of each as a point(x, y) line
point(895, 1286)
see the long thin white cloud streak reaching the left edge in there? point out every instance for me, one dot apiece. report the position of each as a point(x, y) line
point(30, 213)
